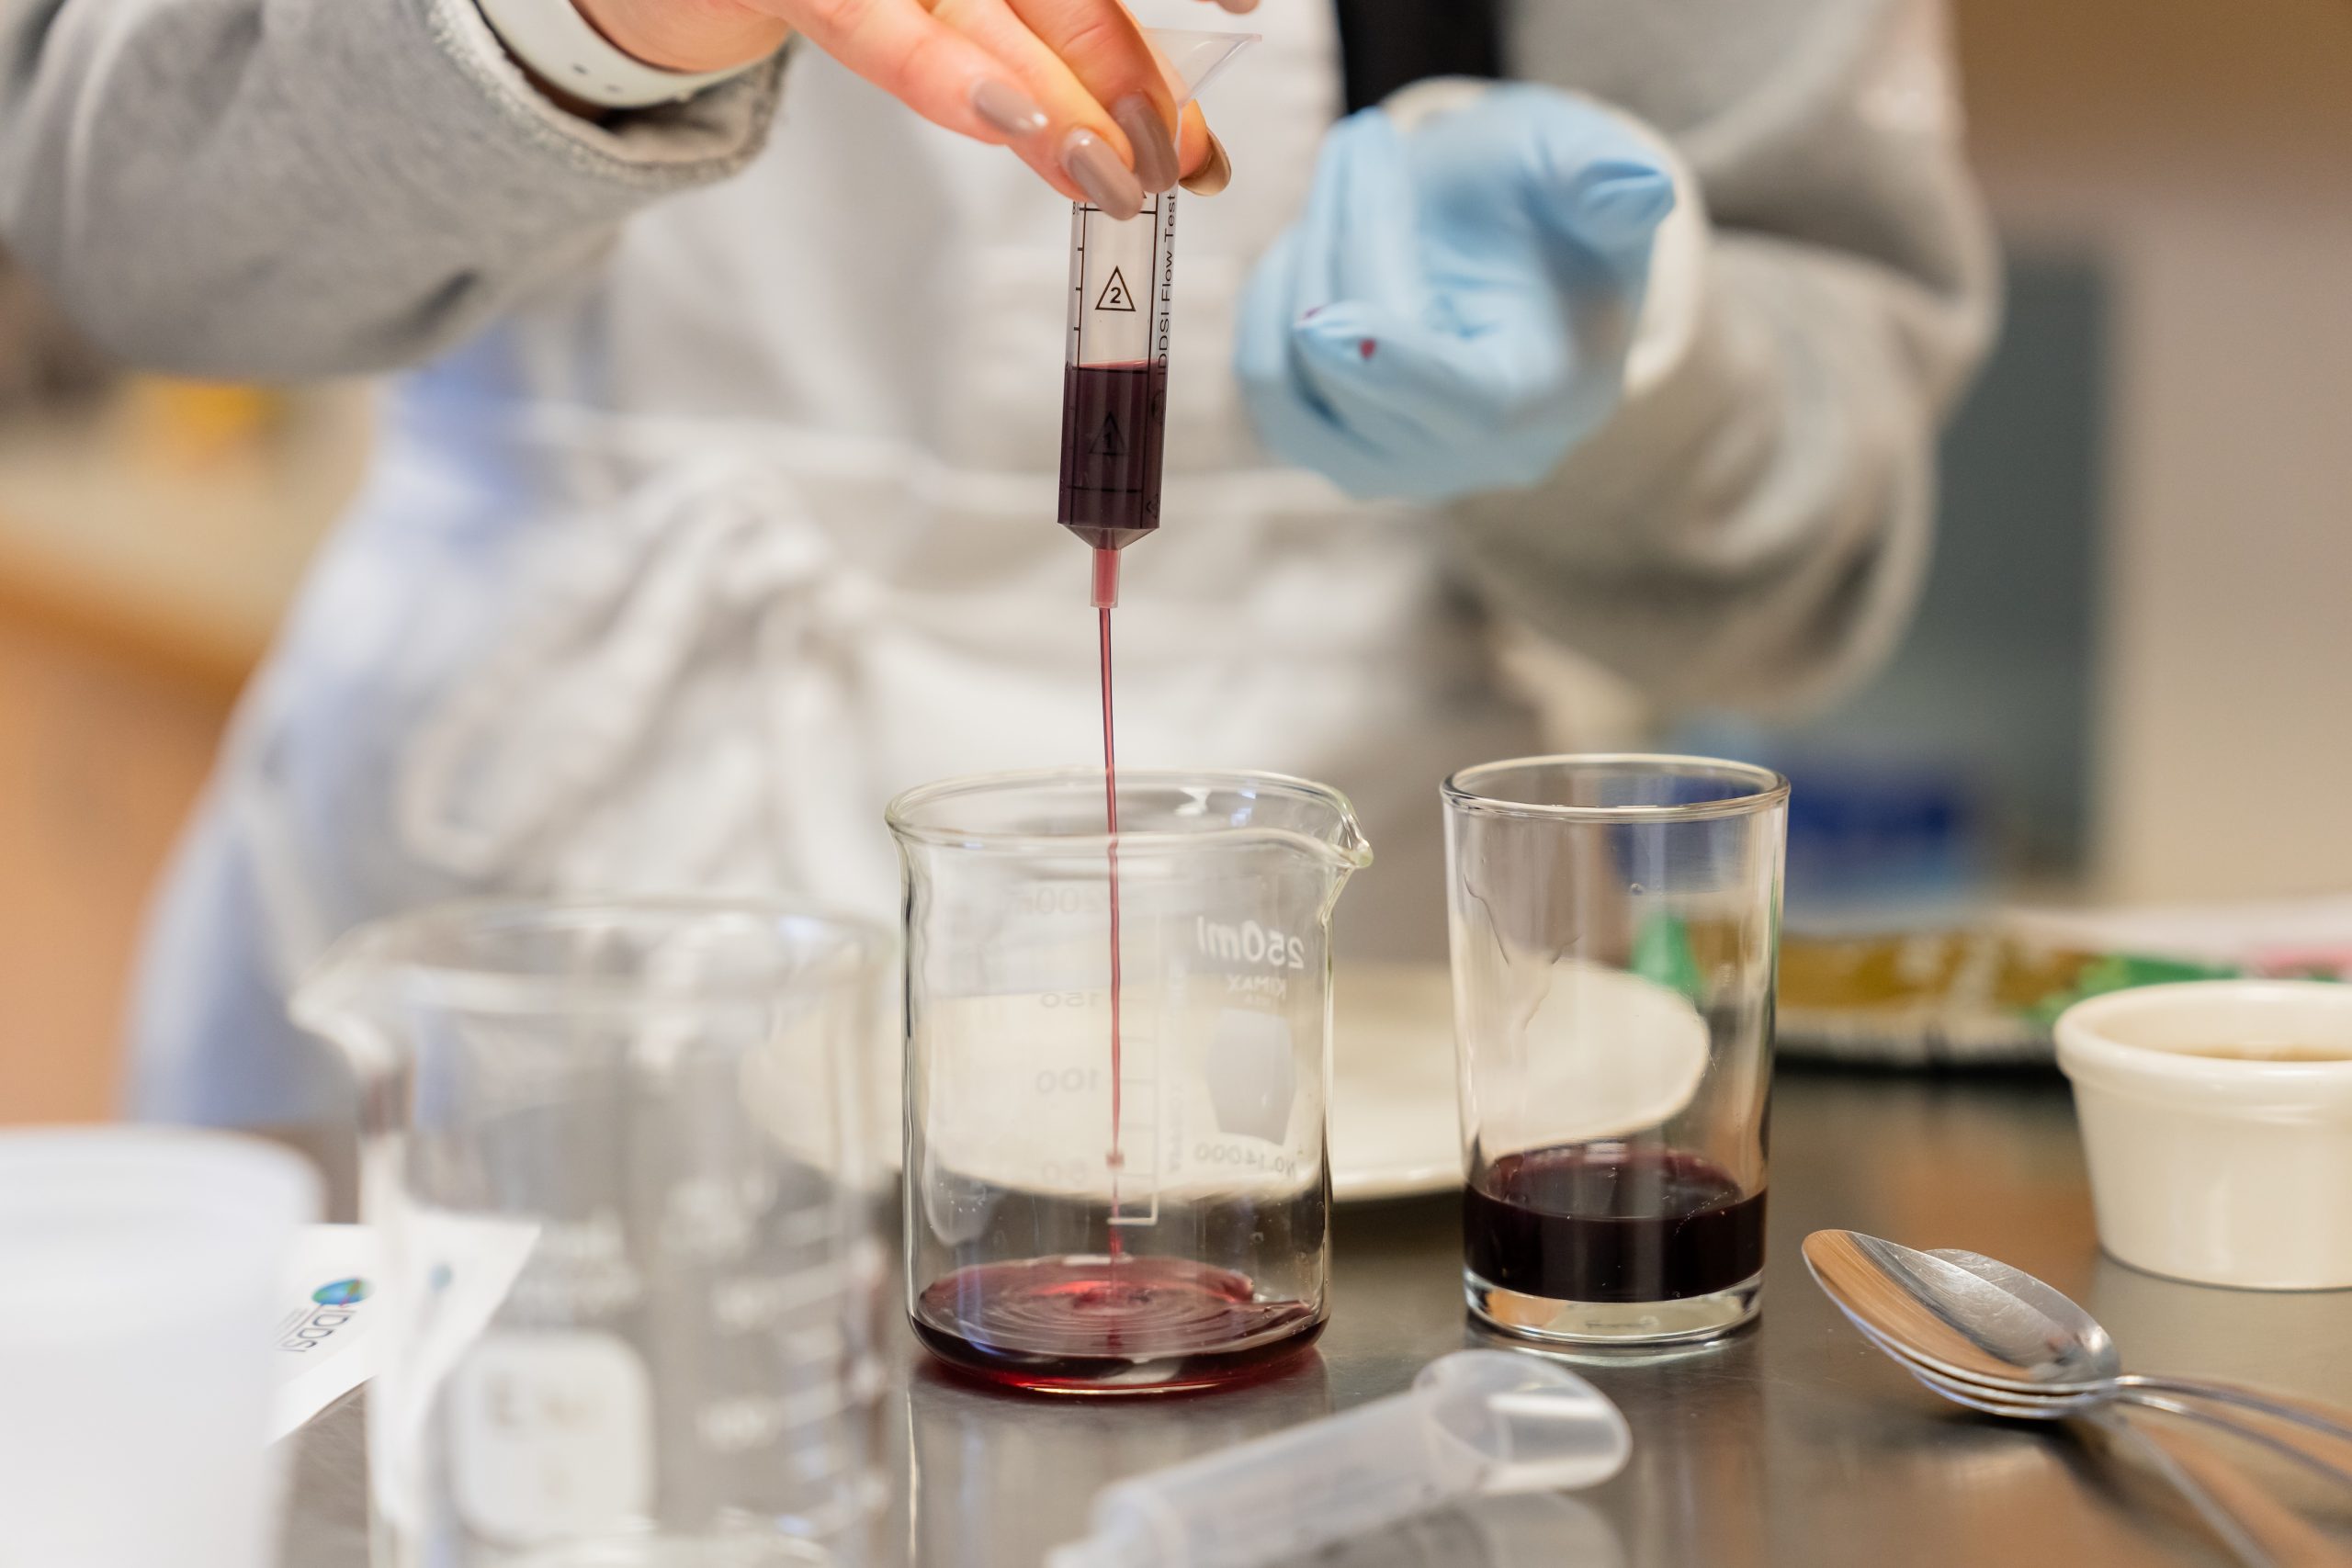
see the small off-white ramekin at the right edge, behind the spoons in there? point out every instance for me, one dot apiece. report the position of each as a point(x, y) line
point(2207, 1160)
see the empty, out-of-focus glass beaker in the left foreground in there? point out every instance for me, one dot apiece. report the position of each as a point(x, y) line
point(629, 1212)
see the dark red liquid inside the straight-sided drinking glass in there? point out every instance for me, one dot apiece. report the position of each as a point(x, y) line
point(1608, 1224)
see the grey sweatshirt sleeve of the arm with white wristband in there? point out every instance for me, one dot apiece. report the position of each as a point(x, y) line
point(314, 187)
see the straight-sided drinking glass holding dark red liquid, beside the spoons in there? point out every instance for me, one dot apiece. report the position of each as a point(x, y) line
point(1617, 927)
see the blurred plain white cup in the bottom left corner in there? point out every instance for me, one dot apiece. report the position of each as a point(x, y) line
point(140, 1280)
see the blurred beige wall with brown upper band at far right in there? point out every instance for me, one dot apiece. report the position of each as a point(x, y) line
point(2203, 156)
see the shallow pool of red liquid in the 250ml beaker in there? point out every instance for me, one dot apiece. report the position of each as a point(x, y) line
point(1111, 1325)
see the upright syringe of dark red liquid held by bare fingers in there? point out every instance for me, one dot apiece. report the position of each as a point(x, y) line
point(1116, 391)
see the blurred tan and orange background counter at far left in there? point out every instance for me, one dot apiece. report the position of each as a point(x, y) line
point(149, 537)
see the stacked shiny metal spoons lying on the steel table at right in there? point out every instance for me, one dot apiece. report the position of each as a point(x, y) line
point(1986, 1325)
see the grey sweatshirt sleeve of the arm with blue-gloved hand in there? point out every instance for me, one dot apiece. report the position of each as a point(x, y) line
point(1753, 530)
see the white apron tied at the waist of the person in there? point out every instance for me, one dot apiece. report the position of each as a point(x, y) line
point(686, 570)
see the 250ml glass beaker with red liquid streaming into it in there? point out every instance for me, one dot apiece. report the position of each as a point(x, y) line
point(1118, 1050)
